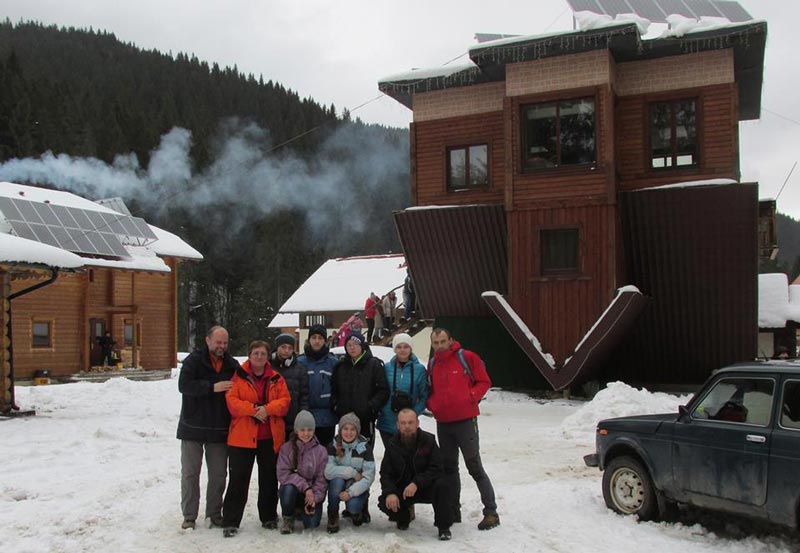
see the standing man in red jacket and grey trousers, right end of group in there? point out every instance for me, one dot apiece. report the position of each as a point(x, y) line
point(458, 382)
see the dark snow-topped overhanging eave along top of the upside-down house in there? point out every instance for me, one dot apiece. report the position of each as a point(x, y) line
point(622, 37)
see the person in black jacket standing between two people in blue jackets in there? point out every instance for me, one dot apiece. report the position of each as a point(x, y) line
point(359, 385)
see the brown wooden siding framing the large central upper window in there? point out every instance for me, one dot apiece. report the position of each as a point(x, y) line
point(564, 184)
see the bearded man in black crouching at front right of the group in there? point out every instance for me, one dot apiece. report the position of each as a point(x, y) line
point(412, 472)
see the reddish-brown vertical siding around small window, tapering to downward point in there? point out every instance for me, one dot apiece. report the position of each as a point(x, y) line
point(560, 310)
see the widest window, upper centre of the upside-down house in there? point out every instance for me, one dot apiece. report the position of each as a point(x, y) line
point(558, 133)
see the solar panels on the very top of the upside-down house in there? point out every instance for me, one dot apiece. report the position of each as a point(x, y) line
point(658, 10)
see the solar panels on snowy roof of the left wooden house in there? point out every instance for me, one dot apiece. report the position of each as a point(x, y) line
point(73, 229)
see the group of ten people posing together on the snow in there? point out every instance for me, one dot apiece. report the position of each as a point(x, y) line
point(281, 411)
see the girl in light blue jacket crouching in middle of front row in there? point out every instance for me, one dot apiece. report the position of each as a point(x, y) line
point(350, 472)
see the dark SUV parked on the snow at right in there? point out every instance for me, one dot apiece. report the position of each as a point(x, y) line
point(735, 448)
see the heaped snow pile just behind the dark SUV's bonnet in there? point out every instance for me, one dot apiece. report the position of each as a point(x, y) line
point(617, 400)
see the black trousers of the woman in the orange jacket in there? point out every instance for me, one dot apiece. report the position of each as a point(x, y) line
point(240, 466)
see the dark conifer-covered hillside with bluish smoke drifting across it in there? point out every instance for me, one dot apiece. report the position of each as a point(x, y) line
point(265, 184)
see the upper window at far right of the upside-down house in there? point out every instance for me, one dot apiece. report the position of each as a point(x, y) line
point(673, 134)
